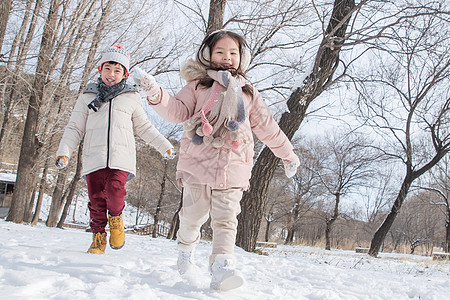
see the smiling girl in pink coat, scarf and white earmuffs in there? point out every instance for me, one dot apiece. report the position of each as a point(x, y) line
point(220, 112)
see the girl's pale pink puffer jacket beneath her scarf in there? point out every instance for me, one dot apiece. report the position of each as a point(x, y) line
point(225, 167)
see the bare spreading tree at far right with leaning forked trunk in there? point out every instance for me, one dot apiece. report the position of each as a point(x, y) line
point(406, 101)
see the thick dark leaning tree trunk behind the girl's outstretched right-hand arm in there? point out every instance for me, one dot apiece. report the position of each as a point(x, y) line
point(326, 62)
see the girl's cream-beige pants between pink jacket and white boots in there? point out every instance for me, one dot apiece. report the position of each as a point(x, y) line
point(199, 201)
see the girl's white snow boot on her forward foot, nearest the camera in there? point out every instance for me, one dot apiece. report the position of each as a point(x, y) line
point(224, 275)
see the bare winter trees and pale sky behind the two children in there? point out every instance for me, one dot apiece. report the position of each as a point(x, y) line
point(361, 89)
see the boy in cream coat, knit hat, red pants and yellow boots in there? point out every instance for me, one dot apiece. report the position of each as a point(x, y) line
point(106, 115)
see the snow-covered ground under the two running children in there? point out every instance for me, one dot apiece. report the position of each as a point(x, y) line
point(49, 263)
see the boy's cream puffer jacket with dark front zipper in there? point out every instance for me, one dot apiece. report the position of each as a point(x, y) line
point(109, 133)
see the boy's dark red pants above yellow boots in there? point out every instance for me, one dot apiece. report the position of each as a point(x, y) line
point(106, 189)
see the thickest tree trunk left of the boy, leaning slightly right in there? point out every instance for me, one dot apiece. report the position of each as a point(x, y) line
point(30, 143)
